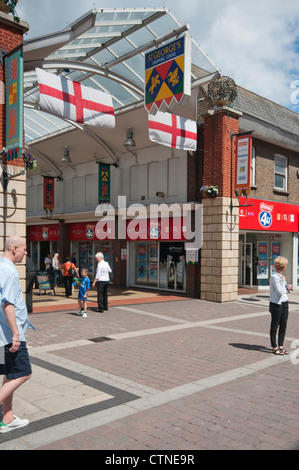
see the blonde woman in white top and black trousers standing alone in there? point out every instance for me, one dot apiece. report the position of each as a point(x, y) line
point(279, 306)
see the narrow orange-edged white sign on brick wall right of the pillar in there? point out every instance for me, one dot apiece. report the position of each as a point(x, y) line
point(243, 164)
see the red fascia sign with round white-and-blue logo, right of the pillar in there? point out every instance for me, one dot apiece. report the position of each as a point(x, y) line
point(271, 216)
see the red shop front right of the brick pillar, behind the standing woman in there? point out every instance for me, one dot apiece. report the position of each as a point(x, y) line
point(267, 229)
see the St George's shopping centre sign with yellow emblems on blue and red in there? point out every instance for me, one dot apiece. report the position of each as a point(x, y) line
point(168, 75)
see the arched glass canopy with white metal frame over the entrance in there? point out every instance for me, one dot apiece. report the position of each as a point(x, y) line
point(104, 49)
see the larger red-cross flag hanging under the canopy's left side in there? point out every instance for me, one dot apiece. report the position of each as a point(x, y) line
point(75, 101)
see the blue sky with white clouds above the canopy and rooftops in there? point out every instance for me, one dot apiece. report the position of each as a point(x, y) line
point(256, 43)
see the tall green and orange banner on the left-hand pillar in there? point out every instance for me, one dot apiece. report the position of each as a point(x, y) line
point(14, 107)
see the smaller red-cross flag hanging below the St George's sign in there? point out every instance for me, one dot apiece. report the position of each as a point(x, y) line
point(173, 131)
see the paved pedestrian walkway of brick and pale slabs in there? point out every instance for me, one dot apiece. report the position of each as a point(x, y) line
point(158, 372)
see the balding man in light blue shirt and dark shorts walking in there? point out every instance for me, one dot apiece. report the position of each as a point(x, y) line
point(15, 366)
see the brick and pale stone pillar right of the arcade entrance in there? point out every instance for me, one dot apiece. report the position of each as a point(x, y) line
point(219, 254)
